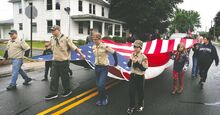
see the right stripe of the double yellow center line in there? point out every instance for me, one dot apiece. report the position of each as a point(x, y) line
point(82, 100)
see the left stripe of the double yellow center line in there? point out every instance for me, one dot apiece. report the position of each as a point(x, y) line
point(70, 100)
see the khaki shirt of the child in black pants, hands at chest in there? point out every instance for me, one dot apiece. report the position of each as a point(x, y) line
point(142, 59)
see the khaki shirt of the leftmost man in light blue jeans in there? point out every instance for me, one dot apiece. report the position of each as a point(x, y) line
point(16, 48)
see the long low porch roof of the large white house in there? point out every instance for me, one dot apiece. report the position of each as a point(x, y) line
point(88, 16)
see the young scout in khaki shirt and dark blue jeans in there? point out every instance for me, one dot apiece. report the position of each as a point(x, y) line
point(101, 66)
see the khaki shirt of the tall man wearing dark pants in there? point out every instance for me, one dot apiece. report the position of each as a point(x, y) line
point(62, 49)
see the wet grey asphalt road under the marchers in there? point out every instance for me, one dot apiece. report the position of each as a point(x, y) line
point(28, 100)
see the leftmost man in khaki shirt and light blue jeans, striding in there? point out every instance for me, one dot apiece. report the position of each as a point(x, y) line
point(16, 49)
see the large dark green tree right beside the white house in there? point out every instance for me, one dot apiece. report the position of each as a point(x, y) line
point(143, 16)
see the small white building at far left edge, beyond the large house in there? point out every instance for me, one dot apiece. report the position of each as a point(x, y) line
point(5, 27)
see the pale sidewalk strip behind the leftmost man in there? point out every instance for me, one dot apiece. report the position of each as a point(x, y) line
point(5, 70)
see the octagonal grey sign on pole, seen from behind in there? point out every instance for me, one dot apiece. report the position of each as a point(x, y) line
point(28, 12)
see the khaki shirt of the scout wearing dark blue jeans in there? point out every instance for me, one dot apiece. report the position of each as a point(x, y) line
point(101, 54)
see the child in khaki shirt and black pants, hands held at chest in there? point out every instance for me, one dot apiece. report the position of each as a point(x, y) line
point(138, 63)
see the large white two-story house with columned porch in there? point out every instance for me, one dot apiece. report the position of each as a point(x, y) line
point(84, 15)
